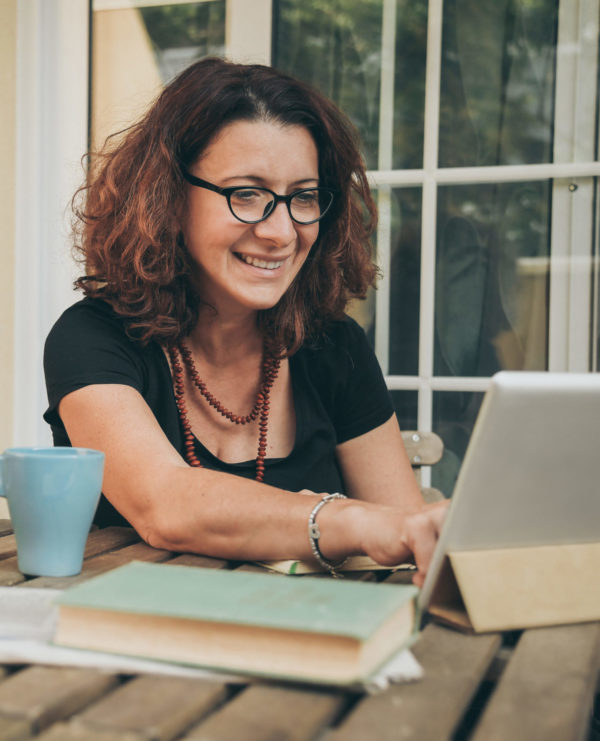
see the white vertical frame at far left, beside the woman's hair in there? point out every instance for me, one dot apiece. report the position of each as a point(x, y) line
point(52, 112)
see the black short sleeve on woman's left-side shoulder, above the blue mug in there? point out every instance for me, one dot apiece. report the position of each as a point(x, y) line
point(88, 345)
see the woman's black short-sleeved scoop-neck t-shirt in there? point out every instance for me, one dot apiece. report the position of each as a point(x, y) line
point(338, 389)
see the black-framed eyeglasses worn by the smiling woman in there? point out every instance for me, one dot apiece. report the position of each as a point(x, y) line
point(253, 205)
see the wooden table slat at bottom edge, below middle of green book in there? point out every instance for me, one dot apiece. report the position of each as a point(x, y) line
point(263, 712)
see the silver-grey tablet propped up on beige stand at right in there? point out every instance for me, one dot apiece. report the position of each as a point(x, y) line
point(531, 473)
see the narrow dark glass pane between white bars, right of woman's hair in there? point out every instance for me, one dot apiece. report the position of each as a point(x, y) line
point(405, 279)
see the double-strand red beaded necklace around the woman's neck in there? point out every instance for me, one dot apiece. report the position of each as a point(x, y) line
point(270, 368)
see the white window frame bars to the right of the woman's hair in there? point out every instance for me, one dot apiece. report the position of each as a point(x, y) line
point(571, 230)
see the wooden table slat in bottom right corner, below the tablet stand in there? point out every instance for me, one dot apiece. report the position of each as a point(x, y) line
point(547, 689)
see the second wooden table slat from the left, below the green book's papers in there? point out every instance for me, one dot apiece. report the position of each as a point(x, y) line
point(154, 707)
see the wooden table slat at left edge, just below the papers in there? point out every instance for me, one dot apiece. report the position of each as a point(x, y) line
point(43, 695)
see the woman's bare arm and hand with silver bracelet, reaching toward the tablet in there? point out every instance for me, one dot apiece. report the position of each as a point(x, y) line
point(180, 508)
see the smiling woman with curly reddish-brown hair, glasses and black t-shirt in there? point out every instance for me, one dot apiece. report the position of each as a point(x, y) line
point(223, 236)
